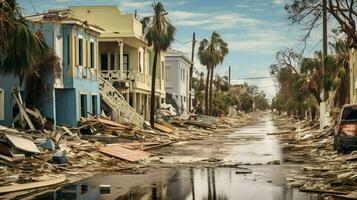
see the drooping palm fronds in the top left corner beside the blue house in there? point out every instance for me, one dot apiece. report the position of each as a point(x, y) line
point(15, 33)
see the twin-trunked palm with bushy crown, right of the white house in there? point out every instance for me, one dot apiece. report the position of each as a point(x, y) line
point(211, 53)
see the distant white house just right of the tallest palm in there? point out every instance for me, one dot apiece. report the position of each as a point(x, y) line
point(177, 76)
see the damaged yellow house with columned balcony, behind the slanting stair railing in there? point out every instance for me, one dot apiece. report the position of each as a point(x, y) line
point(125, 60)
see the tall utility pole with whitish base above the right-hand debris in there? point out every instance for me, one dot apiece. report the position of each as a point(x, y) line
point(324, 93)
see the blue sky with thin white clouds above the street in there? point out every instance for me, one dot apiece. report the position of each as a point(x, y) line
point(253, 29)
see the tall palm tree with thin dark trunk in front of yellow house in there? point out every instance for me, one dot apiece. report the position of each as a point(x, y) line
point(159, 33)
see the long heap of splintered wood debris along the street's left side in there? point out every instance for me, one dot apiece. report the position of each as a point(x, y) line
point(35, 156)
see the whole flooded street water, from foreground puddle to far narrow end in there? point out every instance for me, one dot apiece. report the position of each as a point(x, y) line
point(259, 175)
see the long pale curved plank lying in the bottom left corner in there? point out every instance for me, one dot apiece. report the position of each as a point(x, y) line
point(33, 185)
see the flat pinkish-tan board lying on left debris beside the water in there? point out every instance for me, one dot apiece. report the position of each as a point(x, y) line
point(121, 152)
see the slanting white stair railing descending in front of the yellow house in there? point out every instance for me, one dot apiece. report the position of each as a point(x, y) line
point(117, 102)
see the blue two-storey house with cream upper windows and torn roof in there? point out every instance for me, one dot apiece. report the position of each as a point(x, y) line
point(73, 90)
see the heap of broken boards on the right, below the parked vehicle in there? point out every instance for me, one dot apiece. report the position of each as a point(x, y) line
point(321, 169)
